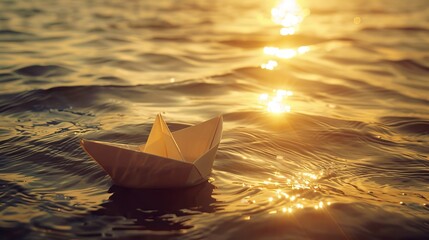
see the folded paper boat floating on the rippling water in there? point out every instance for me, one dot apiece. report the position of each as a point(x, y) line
point(167, 160)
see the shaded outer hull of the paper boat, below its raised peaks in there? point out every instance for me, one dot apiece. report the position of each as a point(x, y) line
point(130, 167)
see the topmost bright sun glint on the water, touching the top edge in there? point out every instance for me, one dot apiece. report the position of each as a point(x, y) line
point(289, 14)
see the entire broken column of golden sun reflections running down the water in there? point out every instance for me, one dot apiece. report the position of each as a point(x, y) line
point(284, 194)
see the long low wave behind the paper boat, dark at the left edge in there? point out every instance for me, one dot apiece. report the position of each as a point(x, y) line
point(108, 97)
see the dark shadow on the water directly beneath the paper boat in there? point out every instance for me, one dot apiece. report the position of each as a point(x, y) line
point(159, 209)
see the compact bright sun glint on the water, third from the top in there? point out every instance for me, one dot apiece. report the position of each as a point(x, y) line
point(276, 102)
